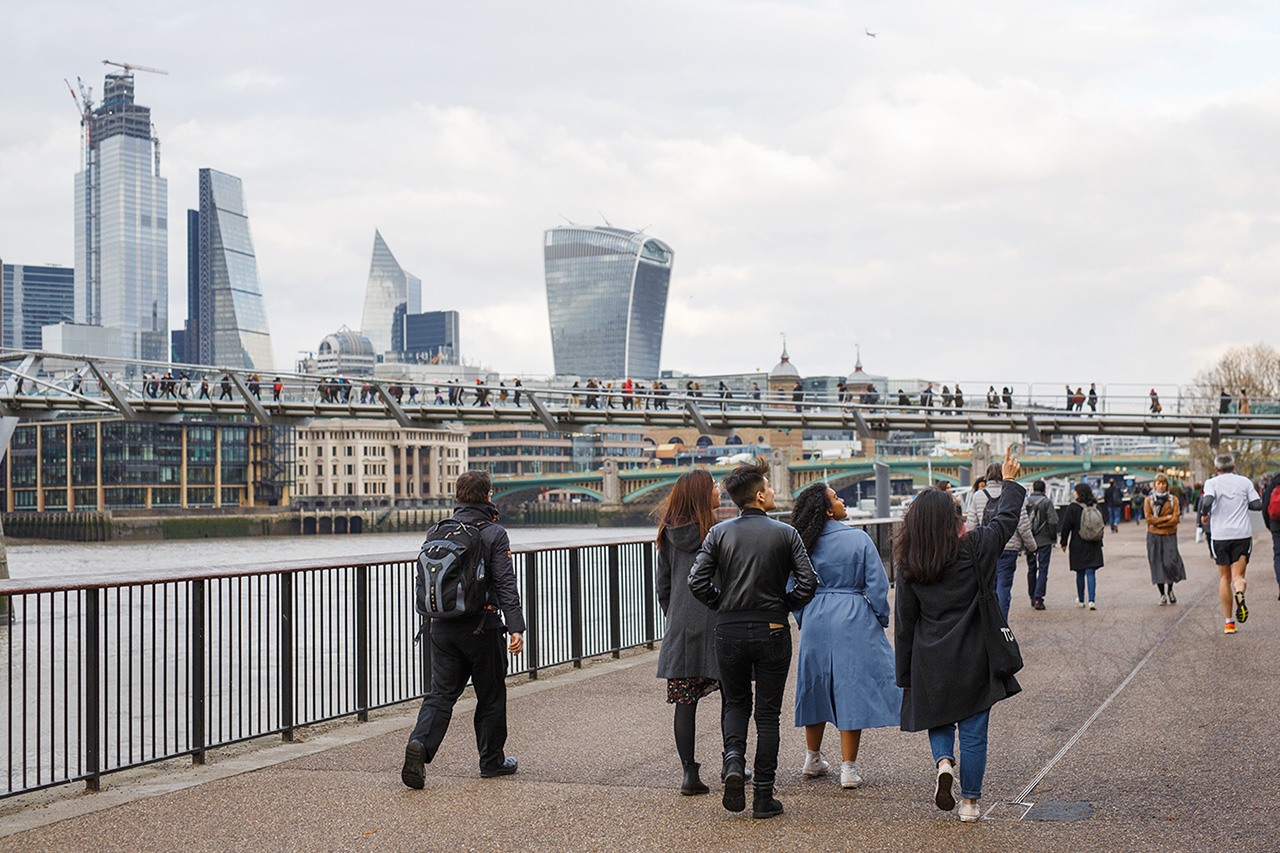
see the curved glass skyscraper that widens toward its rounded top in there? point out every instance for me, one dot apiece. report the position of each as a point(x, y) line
point(607, 299)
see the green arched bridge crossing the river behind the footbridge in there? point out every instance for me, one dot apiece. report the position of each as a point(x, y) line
point(630, 486)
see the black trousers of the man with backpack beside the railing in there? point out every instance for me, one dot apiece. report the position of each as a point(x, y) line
point(458, 656)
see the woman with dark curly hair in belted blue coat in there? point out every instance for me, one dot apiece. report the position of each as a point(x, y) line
point(845, 676)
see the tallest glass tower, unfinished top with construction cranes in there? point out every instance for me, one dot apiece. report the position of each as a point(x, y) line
point(122, 225)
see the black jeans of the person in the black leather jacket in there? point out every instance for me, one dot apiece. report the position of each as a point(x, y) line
point(747, 653)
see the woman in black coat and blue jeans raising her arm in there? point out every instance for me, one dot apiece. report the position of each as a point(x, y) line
point(943, 633)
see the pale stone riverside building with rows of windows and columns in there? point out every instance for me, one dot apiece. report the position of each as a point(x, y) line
point(359, 464)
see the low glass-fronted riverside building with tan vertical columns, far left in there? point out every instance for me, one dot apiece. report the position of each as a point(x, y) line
point(121, 466)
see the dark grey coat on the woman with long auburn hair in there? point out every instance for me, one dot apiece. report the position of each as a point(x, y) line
point(689, 646)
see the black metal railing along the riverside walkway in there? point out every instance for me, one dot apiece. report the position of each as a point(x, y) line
point(113, 672)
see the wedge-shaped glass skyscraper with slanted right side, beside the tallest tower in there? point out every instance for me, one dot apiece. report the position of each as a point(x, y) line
point(227, 318)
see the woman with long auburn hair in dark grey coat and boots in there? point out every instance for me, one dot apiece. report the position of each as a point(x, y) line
point(688, 656)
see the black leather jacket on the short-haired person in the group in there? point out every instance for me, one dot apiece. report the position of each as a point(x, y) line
point(753, 558)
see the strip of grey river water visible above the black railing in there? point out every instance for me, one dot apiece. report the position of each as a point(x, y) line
point(65, 559)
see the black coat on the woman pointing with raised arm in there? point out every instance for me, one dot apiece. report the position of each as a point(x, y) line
point(939, 633)
